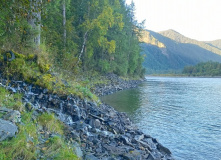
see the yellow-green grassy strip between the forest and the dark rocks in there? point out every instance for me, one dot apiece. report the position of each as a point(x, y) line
point(36, 70)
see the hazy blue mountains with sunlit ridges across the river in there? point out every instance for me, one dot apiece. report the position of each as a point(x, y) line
point(170, 51)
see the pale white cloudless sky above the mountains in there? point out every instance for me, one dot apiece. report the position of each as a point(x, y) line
point(196, 19)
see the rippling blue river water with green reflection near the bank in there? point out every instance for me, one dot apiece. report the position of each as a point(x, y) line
point(184, 114)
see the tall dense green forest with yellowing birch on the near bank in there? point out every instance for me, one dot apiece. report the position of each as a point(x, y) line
point(74, 35)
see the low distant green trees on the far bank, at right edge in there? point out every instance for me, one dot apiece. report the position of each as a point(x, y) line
point(204, 69)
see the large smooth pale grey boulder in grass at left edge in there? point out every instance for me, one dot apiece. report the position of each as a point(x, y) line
point(7, 129)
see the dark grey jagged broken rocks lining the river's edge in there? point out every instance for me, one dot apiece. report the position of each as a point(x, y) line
point(98, 131)
